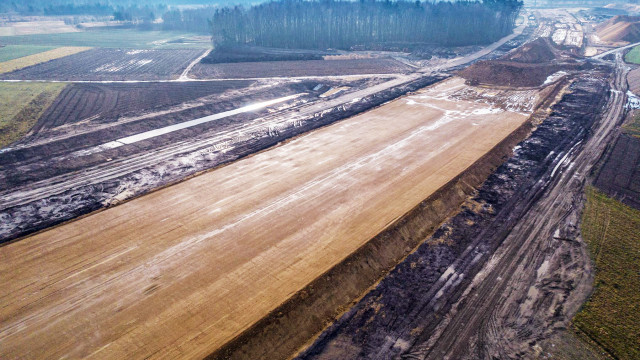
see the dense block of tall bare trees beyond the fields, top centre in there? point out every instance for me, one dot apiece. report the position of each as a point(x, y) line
point(343, 24)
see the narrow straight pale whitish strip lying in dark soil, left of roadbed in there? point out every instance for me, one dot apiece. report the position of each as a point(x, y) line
point(168, 129)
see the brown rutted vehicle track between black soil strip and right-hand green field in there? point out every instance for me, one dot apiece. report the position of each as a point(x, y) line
point(478, 327)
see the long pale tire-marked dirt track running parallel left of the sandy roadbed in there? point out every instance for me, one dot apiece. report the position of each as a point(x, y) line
point(120, 167)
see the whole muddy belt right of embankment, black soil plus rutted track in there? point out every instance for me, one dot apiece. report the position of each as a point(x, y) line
point(441, 302)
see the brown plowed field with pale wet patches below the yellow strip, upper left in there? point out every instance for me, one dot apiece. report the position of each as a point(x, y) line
point(109, 65)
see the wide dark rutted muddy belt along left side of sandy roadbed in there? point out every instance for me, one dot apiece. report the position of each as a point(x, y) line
point(56, 180)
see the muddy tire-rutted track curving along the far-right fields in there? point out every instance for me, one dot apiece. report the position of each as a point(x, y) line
point(551, 220)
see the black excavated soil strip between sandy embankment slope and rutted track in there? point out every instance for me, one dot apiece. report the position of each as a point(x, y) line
point(406, 304)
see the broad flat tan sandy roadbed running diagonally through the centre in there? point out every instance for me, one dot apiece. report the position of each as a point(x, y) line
point(181, 271)
